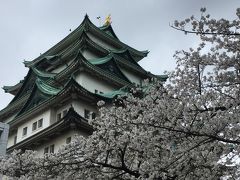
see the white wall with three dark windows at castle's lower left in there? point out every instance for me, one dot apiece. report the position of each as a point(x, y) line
point(46, 122)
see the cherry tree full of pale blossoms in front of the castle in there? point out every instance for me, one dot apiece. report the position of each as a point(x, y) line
point(185, 129)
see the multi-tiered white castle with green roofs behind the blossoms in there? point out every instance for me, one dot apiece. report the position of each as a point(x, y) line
point(59, 94)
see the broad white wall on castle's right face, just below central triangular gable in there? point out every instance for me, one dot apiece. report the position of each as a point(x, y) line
point(91, 83)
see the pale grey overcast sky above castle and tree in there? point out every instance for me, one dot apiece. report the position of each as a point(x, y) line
point(30, 27)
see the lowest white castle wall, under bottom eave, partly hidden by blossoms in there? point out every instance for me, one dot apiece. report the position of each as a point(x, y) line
point(59, 141)
